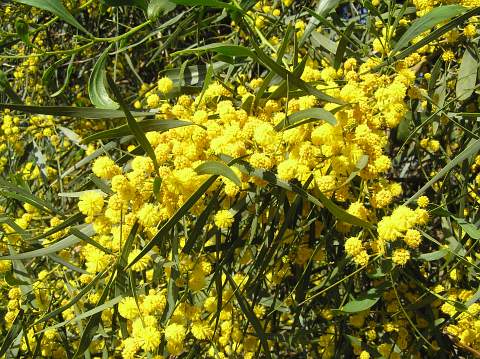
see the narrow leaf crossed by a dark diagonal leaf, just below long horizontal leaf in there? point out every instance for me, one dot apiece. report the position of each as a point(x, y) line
point(145, 126)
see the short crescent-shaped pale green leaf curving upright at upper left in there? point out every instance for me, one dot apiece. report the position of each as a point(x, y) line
point(97, 90)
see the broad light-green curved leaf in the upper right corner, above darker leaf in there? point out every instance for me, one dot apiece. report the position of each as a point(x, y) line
point(436, 16)
